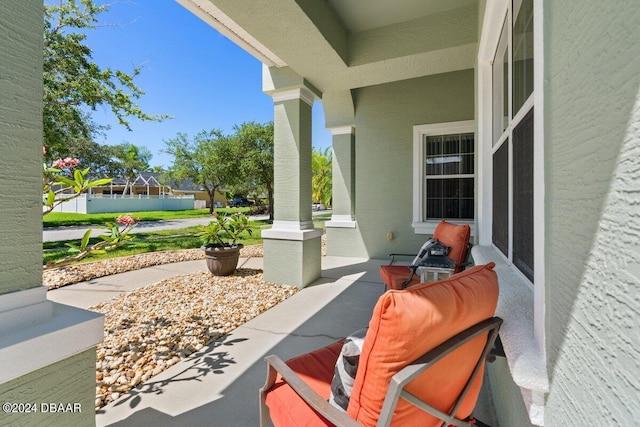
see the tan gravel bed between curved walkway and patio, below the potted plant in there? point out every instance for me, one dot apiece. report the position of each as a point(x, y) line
point(153, 328)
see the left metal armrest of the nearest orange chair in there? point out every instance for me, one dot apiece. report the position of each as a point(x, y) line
point(313, 399)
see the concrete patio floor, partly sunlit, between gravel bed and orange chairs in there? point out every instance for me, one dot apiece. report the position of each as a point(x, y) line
point(218, 386)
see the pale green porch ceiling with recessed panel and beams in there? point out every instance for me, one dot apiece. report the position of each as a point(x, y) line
point(338, 45)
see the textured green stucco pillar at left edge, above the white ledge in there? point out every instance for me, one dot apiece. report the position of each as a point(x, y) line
point(20, 145)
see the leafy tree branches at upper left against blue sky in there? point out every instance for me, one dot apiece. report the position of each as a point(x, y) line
point(74, 85)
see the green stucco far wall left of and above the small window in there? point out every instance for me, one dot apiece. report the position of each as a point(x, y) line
point(384, 119)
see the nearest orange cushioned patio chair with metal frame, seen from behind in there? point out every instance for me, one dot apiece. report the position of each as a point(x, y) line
point(422, 361)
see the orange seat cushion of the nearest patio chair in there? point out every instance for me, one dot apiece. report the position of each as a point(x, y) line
point(316, 369)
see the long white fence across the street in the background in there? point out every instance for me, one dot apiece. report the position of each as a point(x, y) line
point(97, 203)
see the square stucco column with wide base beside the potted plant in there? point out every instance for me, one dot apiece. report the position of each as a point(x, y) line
point(292, 250)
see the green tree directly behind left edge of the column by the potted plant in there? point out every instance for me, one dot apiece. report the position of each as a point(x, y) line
point(254, 147)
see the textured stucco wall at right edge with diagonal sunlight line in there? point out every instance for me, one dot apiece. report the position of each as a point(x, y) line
point(592, 151)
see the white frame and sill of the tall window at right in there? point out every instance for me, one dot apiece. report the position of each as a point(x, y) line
point(522, 333)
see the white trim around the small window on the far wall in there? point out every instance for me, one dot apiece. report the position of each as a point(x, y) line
point(419, 132)
